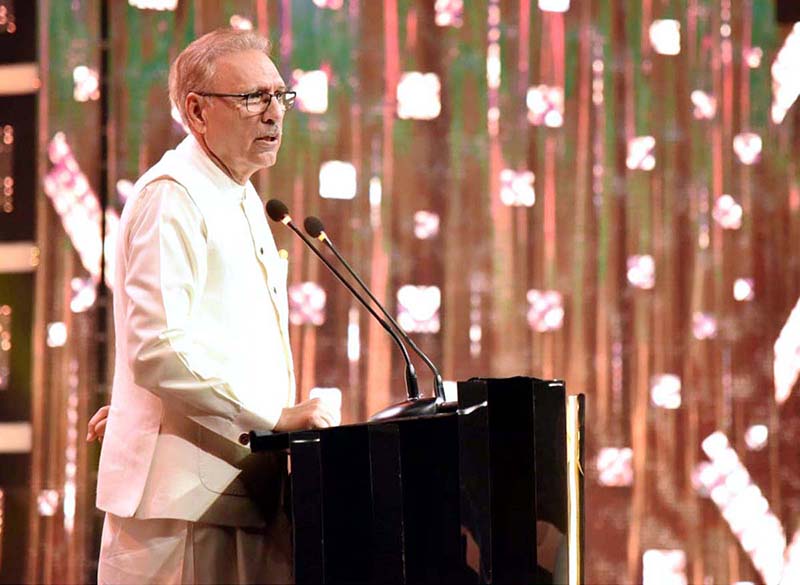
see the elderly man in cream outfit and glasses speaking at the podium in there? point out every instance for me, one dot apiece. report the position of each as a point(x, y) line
point(202, 347)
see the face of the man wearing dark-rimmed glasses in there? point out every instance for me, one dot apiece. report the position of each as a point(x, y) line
point(242, 140)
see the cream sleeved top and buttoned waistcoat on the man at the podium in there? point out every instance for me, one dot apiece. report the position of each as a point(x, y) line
point(202, 347)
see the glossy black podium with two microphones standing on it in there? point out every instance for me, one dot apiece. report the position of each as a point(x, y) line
point(449, 498)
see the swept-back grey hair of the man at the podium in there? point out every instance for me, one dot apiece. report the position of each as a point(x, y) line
point(195, 66)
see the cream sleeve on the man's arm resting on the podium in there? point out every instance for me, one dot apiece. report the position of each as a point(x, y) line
point(166, 270)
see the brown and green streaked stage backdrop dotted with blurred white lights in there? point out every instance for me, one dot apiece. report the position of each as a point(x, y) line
point(602, 192)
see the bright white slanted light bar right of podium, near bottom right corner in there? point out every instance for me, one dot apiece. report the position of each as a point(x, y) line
point(745, 509)
